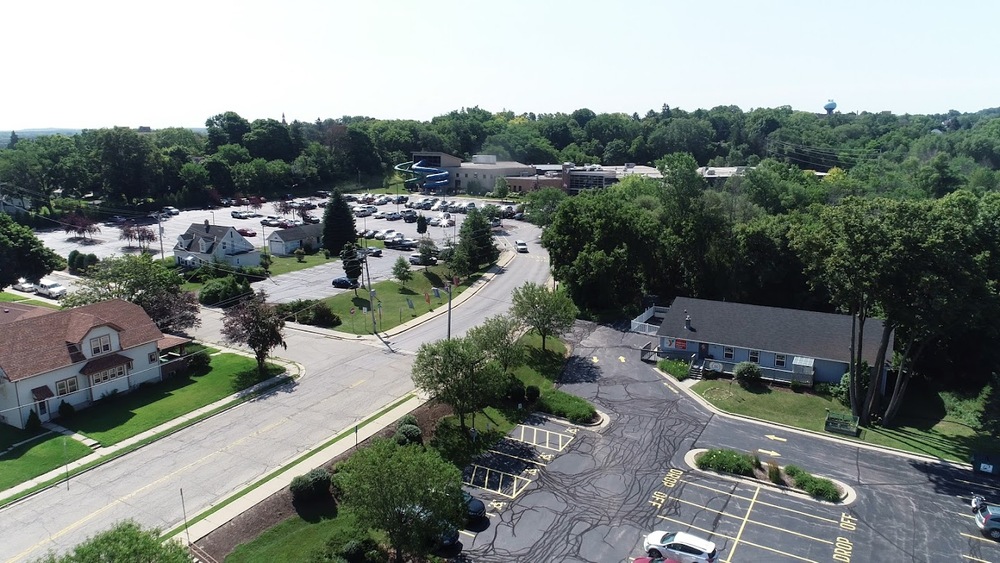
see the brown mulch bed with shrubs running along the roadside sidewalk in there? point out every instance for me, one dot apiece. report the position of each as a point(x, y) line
point(278, 507)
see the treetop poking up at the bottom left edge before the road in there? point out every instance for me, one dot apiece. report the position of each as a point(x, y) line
point(126, 541)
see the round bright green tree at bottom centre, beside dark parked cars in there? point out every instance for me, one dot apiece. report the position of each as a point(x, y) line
point(406, 491)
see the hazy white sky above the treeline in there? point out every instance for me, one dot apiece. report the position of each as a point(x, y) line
point(102, 63)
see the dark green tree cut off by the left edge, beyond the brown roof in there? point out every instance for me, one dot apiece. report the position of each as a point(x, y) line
point(23, 255)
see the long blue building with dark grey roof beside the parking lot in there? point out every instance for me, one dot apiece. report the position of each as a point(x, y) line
point(787, 344)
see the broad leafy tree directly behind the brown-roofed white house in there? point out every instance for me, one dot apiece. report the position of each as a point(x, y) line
point(141, 280)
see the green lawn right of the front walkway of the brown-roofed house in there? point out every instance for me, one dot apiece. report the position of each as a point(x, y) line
point(148, 407)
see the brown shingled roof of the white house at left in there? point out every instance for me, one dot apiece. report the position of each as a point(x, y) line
point(31, 346)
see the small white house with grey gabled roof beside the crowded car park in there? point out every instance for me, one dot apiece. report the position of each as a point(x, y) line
point(206, 244)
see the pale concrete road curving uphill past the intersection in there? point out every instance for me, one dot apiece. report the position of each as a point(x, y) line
point(345, 380)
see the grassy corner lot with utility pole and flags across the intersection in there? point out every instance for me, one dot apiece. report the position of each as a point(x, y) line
point(392, 296)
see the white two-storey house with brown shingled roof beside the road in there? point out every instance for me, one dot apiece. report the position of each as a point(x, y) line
point(76, 355)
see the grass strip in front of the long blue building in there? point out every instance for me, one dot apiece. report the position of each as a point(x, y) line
point(929, 423)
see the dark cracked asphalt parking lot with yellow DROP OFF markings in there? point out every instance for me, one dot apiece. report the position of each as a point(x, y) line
point(603, 489)
